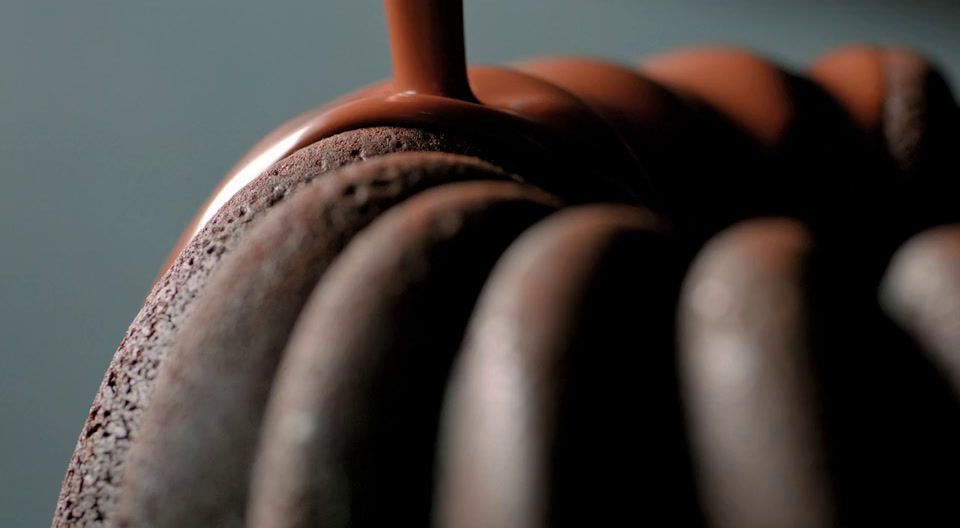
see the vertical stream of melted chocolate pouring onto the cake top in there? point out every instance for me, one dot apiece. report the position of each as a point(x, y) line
point(426, 40)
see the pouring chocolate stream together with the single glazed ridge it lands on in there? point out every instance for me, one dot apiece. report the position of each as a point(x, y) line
point(432, 88)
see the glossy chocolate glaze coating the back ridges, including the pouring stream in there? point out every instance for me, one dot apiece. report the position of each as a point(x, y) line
point(599, 131)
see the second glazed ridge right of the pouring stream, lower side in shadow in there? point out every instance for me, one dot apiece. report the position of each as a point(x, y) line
point(681, 143)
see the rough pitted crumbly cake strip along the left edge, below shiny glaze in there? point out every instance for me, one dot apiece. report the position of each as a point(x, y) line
point(90, 488)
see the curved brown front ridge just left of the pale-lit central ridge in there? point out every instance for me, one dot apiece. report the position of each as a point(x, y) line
point(349, 435)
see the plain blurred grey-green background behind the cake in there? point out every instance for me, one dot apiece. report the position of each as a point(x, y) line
point(118, 117)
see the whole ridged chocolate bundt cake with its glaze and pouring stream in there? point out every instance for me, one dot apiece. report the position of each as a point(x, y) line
point(567, 292)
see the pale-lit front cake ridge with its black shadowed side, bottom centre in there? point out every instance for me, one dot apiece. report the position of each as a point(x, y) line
point(562, 409)
